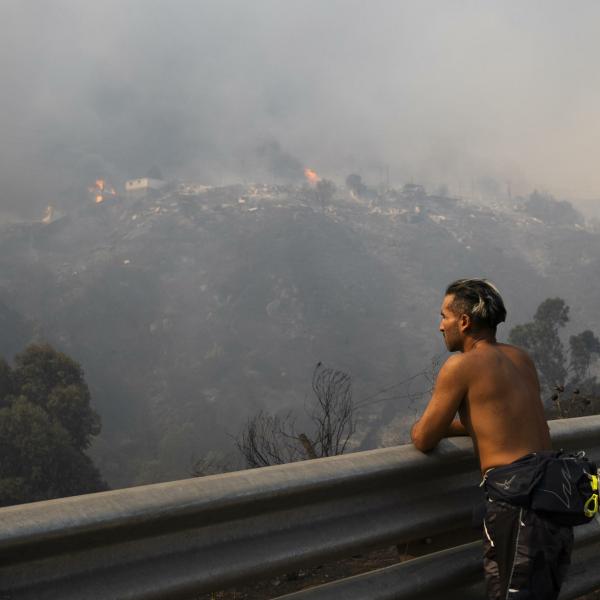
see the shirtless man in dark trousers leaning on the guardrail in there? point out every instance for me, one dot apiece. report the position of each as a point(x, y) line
point(494, 389)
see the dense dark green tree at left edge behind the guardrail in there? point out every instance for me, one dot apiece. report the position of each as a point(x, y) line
point(46, 425)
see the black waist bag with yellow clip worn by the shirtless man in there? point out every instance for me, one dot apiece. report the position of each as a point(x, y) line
point(562, 487)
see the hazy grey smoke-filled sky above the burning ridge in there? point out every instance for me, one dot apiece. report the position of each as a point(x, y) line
point(436, 92)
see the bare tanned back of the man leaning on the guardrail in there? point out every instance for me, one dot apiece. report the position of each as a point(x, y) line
point(502, 409)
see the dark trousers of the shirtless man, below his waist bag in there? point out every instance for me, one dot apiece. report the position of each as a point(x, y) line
point(525, 555)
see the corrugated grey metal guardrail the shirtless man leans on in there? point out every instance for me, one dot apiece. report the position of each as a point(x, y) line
point(179, 539)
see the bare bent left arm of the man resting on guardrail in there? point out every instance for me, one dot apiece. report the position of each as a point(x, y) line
point(437, 420)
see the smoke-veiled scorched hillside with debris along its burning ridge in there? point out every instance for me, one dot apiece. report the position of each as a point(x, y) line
point(193, 308)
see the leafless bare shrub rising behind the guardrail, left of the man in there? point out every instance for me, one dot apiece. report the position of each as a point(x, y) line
point(270, 440)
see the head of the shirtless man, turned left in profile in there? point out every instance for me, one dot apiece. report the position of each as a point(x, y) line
point(471, 307)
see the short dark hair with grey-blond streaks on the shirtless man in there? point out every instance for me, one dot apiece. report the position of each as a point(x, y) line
point(480, 299)
